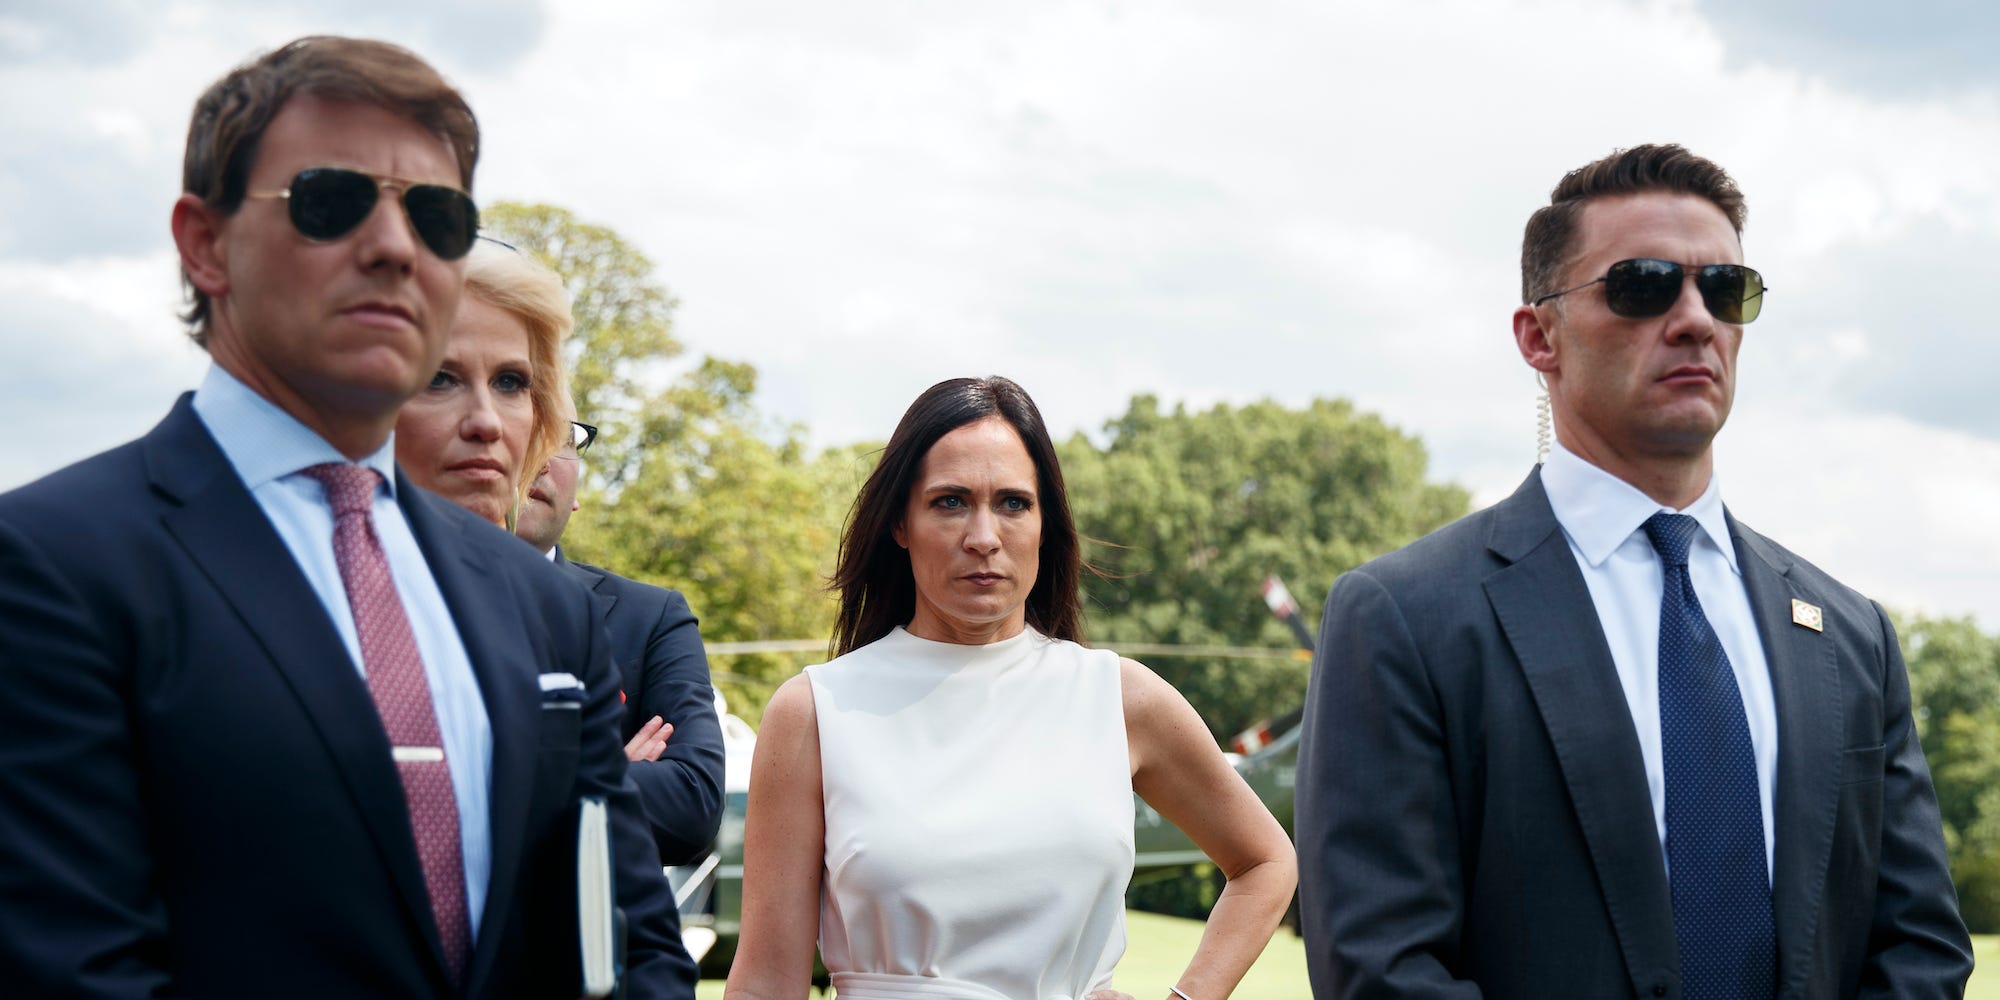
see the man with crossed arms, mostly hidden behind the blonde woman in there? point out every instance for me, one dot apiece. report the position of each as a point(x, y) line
point(671, 729)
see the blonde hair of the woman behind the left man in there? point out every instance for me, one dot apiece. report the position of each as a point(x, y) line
point(527, 289)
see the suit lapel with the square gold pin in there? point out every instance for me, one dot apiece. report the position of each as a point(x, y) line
point(1807, 685)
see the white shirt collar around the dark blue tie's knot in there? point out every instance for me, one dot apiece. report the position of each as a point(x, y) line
point(1601, 511)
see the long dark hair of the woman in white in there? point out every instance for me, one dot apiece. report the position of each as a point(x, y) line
point(875, 581)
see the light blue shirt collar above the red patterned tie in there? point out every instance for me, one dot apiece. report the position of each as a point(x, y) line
point(265, 443)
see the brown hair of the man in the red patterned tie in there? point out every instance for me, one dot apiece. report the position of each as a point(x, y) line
point(231, 119)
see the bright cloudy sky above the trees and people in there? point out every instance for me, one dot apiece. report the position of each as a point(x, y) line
point(1213, 203)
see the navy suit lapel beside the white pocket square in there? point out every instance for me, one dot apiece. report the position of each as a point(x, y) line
point(481, 599)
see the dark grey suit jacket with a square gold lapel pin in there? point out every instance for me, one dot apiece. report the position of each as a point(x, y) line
point(1473, 809)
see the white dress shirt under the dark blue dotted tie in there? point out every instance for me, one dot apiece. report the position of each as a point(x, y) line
point(1605, 517)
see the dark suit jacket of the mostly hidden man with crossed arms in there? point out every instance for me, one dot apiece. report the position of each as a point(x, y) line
point(665, 673)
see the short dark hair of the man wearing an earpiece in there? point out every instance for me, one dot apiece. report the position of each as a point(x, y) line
point(1551, 239)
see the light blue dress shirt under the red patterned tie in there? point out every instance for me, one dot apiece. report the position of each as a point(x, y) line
point(269, 449)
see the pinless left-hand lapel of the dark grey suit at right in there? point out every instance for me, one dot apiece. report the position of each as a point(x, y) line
point(1549, 619)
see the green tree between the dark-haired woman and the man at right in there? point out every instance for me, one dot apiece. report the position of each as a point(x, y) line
point(1193, 511)
